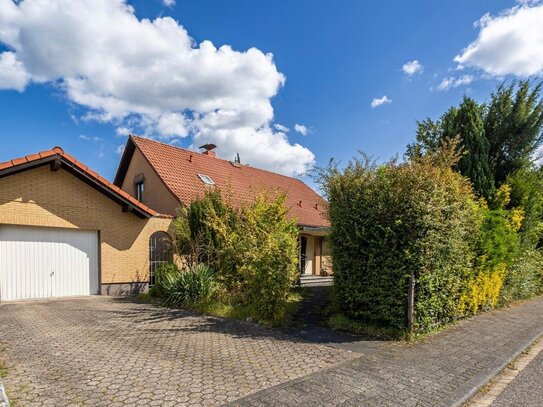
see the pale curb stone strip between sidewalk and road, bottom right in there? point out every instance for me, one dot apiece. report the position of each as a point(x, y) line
point(464, 393)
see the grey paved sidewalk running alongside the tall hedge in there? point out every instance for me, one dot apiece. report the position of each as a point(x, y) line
point(444, 370)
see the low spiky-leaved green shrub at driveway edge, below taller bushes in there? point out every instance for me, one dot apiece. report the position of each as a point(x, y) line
point(185, 288)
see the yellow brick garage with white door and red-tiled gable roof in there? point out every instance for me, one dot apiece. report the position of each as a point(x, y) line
point(66, 231)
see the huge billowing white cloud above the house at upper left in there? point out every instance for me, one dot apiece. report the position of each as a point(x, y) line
point(149, 76)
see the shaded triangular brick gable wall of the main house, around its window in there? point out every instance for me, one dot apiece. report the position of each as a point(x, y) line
point(155, 195)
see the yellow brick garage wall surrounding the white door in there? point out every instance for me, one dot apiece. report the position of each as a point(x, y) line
point(40, 197)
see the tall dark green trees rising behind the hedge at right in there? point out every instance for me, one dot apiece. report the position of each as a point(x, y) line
point(498, 138)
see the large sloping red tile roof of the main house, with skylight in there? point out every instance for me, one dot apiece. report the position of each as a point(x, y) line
point(179, 168)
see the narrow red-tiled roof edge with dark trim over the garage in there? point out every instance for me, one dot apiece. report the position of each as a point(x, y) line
point(57, 151)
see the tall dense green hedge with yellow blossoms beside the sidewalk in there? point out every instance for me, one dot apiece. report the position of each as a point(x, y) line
point(420, 218)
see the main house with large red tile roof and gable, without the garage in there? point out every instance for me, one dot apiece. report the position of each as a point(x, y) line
point(162, 177)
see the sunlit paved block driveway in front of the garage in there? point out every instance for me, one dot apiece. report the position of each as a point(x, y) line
point(100, 351)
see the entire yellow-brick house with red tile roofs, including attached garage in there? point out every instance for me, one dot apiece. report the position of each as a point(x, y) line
point(67, 231)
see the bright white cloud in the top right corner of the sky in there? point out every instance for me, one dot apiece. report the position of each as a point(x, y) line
point(508, 44)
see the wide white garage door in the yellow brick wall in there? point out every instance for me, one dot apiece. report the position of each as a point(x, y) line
point(47, 262)
